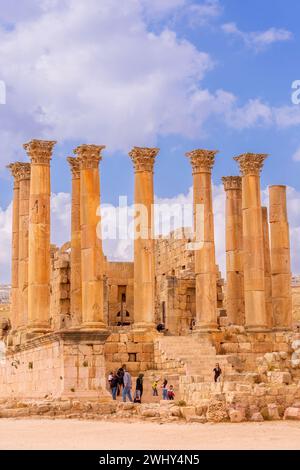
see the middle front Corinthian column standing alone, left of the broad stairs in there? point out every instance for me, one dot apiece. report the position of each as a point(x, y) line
point(144, 277)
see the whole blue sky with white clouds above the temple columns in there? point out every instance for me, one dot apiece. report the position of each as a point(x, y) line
point(177, 74)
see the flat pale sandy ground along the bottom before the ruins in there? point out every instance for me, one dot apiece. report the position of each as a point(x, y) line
point(102, 435)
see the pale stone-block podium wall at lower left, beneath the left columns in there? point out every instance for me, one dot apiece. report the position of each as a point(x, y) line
point(54, 366)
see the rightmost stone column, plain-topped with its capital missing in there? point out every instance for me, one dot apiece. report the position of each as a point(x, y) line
point(280, 258)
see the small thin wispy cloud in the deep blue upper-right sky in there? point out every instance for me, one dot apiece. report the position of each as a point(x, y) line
point(258, 40)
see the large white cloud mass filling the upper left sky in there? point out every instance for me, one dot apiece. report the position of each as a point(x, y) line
point(92, 70)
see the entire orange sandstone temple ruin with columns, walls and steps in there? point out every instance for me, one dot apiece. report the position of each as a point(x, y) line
point(74, 315)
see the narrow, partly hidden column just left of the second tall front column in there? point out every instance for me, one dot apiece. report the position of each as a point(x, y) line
point(76, 294)
